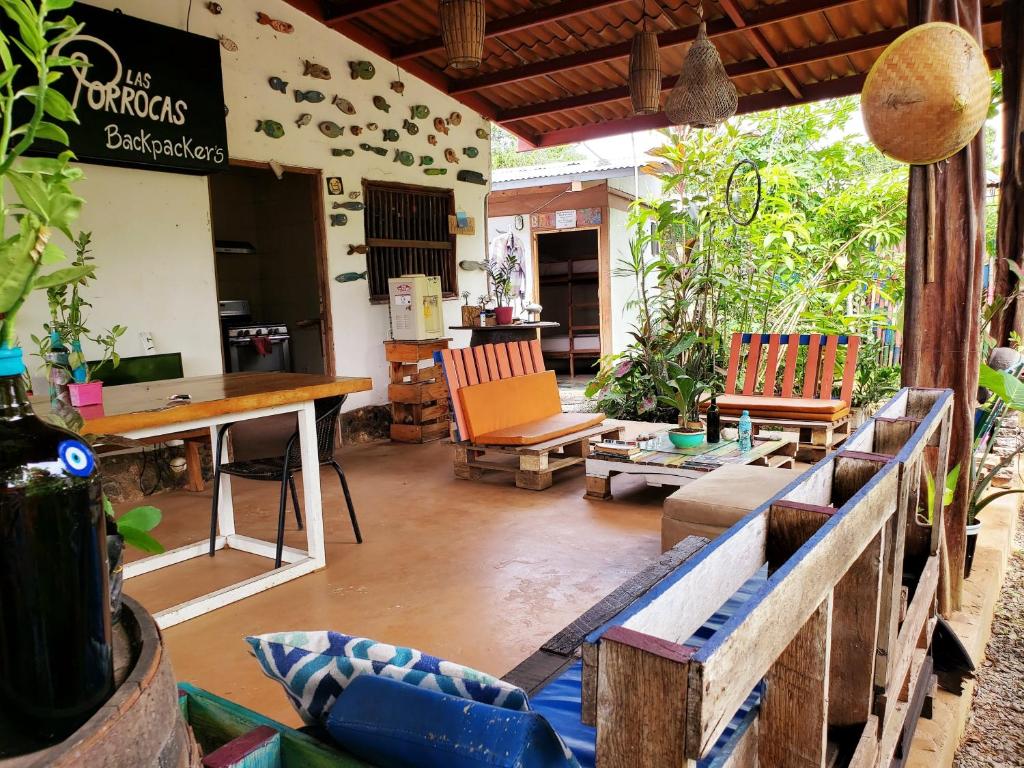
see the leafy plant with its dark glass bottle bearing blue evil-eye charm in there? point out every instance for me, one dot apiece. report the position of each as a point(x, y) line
point(53, 529)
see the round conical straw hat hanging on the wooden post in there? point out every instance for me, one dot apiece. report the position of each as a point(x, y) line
point(928, 95)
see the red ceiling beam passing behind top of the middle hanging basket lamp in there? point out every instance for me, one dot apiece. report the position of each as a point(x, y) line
point(767, 16)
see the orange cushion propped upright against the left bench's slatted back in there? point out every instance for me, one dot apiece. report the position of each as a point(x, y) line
point(498, 405)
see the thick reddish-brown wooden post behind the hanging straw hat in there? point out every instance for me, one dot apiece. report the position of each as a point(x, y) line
point(942, 317)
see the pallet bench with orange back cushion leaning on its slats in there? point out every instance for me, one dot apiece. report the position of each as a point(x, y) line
point(491, 387)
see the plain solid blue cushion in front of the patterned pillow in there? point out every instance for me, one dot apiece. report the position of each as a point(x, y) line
point(396, 726)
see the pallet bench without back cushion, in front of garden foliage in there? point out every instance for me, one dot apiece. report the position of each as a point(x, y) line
point(808, 407)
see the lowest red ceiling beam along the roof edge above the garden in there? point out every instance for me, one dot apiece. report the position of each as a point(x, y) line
point(755, 103)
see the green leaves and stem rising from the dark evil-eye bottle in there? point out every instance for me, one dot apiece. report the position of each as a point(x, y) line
point(42, 200)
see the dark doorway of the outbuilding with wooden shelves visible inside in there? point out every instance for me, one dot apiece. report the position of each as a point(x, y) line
point(568, 276)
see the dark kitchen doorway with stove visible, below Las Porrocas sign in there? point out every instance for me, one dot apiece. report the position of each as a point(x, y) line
point(272, 270)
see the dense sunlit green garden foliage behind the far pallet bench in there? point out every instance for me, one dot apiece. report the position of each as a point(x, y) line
point(821, 257)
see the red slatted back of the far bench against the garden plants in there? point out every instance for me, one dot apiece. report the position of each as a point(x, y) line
point(819, 373)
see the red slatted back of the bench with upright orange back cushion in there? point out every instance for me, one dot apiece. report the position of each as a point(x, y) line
point(487, 363)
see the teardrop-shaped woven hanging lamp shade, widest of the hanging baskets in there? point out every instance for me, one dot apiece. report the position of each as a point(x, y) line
point(704, 96)
